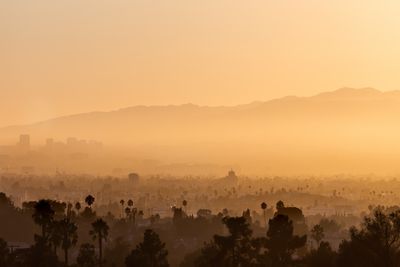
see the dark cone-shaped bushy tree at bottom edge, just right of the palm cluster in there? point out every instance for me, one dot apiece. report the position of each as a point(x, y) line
point(150, 253)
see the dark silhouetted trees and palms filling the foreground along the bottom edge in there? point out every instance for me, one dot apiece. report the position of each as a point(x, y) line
point(72, 234)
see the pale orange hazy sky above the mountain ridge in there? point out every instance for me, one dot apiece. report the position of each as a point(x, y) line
point(69, 56)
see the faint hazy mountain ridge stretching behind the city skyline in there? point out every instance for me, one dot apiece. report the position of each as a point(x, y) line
point(176, 124)
